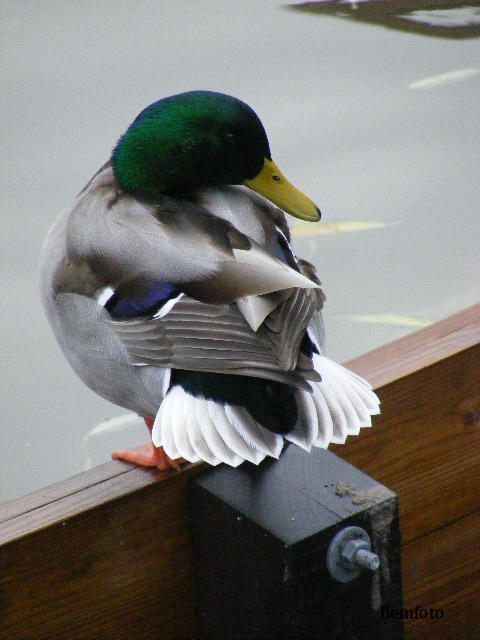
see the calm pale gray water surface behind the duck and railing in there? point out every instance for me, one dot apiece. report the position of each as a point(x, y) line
point(379, 127)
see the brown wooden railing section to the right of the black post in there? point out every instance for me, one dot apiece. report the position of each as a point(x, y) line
point(426, 447)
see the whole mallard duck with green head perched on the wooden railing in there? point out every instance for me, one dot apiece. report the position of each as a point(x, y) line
point(173, 291)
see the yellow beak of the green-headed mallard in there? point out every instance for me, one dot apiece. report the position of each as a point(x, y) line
point(272, 184)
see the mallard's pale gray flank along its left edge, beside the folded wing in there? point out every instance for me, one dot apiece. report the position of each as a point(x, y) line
point(69, 290)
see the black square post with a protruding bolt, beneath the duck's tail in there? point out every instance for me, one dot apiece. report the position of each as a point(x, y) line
point(261, 540)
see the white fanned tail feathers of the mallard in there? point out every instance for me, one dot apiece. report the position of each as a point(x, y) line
point(199, 429)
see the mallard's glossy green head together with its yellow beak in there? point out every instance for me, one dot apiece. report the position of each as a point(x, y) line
point(202, 139)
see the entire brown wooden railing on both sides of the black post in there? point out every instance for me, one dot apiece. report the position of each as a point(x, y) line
point(106, 554)
